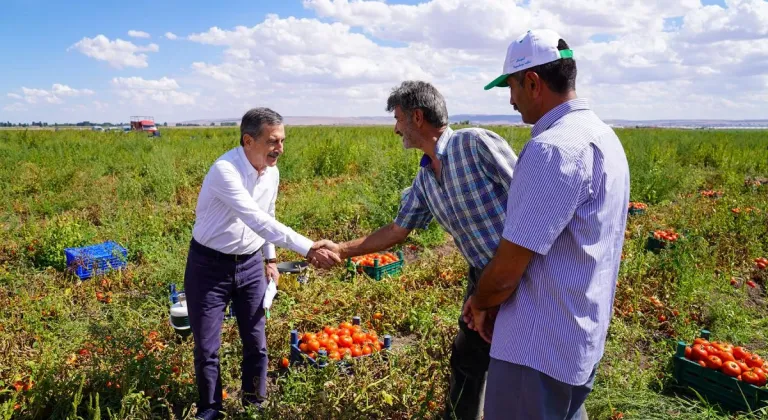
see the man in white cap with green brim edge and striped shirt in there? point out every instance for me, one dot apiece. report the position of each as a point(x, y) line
point(554, 272)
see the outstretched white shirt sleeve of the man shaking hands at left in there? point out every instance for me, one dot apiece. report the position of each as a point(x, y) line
point(226, 185)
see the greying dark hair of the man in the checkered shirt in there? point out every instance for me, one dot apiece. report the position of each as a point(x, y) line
point(412, 95)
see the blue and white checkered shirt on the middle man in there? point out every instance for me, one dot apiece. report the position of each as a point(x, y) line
point(470, 201)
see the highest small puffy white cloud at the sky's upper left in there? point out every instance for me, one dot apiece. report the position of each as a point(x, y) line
point(117, 53)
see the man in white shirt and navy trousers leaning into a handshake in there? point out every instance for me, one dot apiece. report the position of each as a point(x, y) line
point(235, 233)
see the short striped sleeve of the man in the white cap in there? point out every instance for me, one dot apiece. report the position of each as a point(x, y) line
point(546, 189)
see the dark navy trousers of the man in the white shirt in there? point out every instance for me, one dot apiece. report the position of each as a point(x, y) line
point(211, 280)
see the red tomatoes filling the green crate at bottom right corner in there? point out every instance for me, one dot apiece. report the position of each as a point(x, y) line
point(733, 361)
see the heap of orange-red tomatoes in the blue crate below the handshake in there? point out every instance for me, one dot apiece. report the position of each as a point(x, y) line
point(345, 341)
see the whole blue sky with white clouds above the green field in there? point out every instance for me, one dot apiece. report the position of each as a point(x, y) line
point(341, 57)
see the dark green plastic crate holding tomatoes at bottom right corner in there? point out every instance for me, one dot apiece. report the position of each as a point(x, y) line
point(715, 386)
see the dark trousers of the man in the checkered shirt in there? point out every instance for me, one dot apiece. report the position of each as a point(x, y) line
point(470, 355)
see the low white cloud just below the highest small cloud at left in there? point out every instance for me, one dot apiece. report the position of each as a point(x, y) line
point(163, 91)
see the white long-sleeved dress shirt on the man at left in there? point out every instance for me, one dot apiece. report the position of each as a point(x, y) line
point(235, 211)
